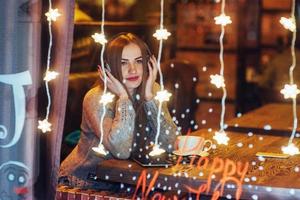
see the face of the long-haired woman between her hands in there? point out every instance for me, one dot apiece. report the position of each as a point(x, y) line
point(132, 66)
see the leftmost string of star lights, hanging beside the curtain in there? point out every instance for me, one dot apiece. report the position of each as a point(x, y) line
point(52, 15)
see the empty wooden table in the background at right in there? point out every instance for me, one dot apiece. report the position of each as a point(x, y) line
point(278, 116)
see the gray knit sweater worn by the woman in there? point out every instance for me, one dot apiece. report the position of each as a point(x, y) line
point(118, 137)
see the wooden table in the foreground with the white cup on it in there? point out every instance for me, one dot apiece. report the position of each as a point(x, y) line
point(265, 179)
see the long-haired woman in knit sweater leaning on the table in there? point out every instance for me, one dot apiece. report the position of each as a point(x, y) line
point(130, 122)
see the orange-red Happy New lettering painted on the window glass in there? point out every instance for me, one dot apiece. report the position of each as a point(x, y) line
point(231, 172)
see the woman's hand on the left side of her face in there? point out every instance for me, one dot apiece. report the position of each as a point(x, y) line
point(113, 84)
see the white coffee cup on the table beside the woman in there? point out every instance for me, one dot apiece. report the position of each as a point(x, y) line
point(192, 145)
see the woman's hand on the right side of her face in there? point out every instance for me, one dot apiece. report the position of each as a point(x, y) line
point(152, 67)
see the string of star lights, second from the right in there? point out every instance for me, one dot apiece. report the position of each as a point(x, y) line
point(218, 79)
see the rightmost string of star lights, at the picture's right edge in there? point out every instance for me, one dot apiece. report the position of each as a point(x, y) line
point(290, 91)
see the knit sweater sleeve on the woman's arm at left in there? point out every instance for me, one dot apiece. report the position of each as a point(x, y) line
point(118, 123)
